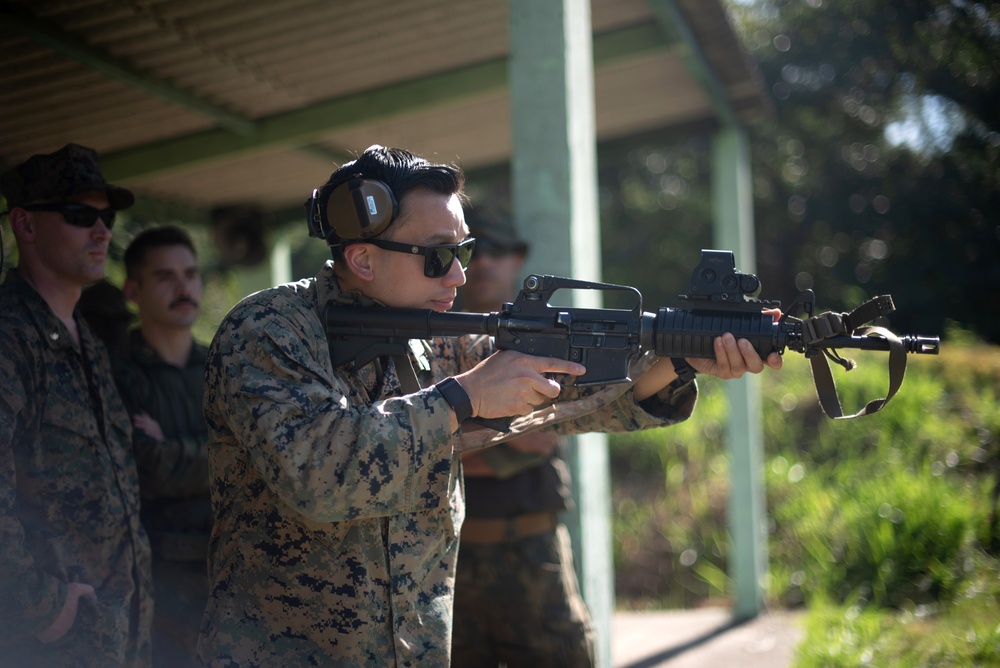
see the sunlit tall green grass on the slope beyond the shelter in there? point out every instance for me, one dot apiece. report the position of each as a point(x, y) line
point(893, 512)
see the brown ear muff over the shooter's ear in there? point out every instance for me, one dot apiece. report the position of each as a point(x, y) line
point(359, 208)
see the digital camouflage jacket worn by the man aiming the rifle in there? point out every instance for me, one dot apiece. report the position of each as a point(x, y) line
point(337, 498)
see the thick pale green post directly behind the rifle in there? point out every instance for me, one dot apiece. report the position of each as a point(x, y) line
point(554, 189)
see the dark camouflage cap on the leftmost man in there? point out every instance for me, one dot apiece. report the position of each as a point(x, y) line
point(54, 177)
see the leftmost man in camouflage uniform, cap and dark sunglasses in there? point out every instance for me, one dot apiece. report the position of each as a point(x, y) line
point(74, 560)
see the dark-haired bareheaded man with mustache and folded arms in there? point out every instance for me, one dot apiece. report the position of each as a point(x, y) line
point(161, 377)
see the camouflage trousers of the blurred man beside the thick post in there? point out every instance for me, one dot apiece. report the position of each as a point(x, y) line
point(517, 604)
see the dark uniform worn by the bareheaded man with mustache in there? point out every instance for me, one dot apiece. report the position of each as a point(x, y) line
point(173, 478)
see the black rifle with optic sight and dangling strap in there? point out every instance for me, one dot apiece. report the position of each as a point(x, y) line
point(605, 340)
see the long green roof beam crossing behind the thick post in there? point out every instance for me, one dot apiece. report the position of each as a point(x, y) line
point(304, 126)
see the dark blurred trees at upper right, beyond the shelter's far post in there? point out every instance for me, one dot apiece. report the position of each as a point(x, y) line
point(880, 172)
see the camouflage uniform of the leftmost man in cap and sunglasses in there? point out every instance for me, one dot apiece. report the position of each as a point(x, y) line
point(69, 495)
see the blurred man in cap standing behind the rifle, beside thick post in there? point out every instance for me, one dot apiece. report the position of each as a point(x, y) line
point(516, 596)
